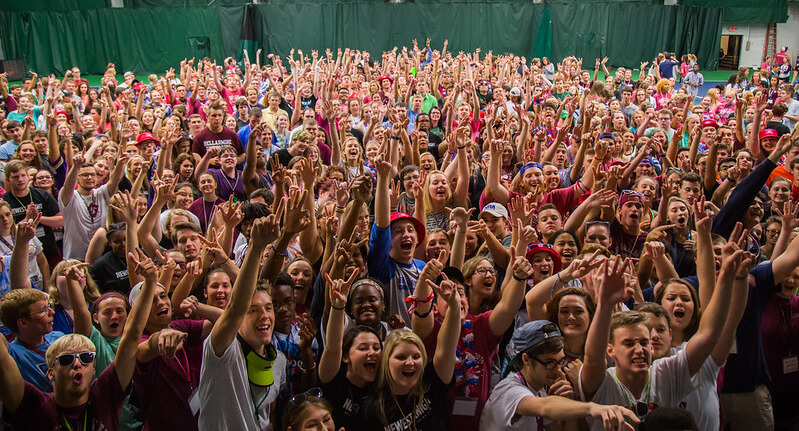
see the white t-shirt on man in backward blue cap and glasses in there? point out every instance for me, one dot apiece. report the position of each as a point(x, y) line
point(500, 410)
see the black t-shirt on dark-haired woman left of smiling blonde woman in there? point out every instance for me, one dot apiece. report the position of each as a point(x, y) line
point(348, 401)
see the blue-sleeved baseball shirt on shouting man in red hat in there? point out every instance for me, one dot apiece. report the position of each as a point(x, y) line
point(399, 278)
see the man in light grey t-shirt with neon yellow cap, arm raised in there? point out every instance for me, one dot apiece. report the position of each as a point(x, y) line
point(241, 371)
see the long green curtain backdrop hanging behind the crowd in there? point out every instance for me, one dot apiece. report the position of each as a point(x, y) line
point(154, 39)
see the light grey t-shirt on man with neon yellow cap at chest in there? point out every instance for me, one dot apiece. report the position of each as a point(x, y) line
point(227, 399)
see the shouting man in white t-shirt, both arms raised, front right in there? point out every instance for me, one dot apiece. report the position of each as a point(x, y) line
point(636, 382)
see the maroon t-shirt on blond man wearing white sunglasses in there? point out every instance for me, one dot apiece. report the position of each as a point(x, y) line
point(38, 410)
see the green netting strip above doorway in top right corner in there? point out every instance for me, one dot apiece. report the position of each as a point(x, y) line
point(747, 11)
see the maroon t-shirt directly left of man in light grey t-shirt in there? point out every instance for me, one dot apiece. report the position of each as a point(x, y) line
point(164, 385)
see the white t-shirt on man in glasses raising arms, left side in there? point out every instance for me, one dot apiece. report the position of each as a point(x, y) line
point(79, 224)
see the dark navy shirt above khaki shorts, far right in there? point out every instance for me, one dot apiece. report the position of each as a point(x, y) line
point(746, 369)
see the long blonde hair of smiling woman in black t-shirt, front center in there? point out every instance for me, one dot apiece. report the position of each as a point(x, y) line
point(384, 380)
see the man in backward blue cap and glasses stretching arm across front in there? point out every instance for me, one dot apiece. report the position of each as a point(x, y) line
point(537, 394)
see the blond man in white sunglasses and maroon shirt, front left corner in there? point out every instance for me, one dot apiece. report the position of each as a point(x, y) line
point(78, 401)
